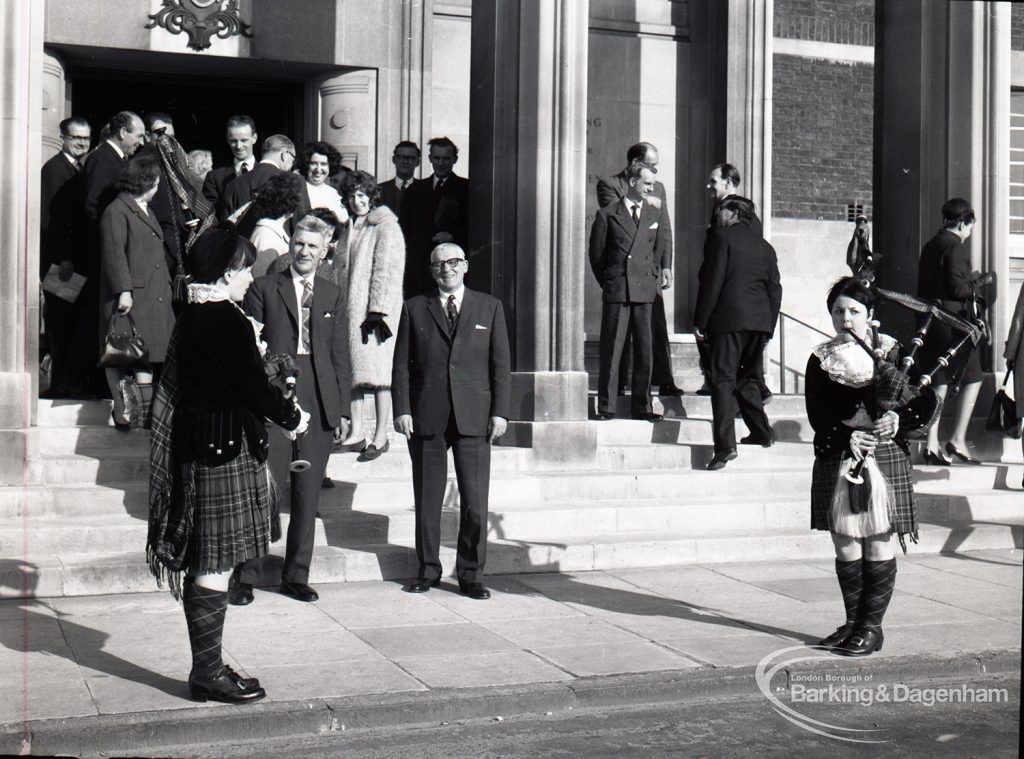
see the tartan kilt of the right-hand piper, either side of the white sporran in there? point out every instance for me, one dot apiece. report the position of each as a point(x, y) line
point(895, 468)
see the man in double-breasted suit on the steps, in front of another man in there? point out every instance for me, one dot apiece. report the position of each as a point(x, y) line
point(627, 244)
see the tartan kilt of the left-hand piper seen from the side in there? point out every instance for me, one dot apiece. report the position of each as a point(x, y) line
point(235, 504)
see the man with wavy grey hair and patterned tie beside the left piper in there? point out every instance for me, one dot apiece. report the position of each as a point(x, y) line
point(303, 316)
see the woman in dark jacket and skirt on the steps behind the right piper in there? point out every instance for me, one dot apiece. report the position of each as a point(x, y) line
point(945, 275)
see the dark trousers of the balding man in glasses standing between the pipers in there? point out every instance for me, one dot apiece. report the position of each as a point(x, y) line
point(473, 472)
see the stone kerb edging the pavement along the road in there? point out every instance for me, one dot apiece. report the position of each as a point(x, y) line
point(163, 732)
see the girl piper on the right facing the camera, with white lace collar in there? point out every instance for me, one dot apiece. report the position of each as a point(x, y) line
point(861, 436)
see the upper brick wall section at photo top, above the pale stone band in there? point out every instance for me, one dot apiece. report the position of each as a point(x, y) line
point(846, 22)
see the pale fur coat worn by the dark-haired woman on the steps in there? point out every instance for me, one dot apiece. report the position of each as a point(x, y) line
point(374, 271)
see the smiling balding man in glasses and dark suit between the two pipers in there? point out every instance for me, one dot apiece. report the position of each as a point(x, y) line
point(451, 385)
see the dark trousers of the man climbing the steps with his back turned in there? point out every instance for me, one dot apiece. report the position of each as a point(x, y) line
point(737, 369)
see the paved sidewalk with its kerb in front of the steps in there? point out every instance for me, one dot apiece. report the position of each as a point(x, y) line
point(118, 661)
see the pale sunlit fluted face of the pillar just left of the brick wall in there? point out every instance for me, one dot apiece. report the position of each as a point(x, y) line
point(750, 101)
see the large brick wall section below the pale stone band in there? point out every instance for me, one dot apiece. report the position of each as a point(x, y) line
point(822, 137)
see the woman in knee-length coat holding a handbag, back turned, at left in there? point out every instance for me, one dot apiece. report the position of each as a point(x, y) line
point(135, 279)
